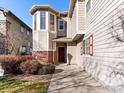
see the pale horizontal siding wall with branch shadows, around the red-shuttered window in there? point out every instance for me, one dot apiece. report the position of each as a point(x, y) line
point(107, 62)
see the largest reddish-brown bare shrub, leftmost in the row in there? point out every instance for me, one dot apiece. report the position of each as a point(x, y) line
point(11, 63)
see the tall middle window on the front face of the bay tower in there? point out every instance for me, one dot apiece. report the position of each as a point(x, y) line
point(42, 20)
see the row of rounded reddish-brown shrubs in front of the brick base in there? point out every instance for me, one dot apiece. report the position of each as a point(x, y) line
point(13, 64)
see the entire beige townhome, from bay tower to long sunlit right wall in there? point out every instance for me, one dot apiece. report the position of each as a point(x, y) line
point(91, 36)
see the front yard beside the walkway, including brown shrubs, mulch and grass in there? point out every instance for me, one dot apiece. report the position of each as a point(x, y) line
point(25, 74)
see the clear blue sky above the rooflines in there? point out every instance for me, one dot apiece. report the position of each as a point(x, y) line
point(21, 7)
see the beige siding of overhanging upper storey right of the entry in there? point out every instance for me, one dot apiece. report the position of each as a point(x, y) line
point(76, 24)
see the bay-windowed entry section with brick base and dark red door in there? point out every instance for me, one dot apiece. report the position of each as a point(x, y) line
point(49, 34)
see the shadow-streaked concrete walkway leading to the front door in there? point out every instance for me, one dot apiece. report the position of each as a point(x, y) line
point(70, 79)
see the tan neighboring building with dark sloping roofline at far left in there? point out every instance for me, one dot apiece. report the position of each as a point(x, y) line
point(15, 35)
